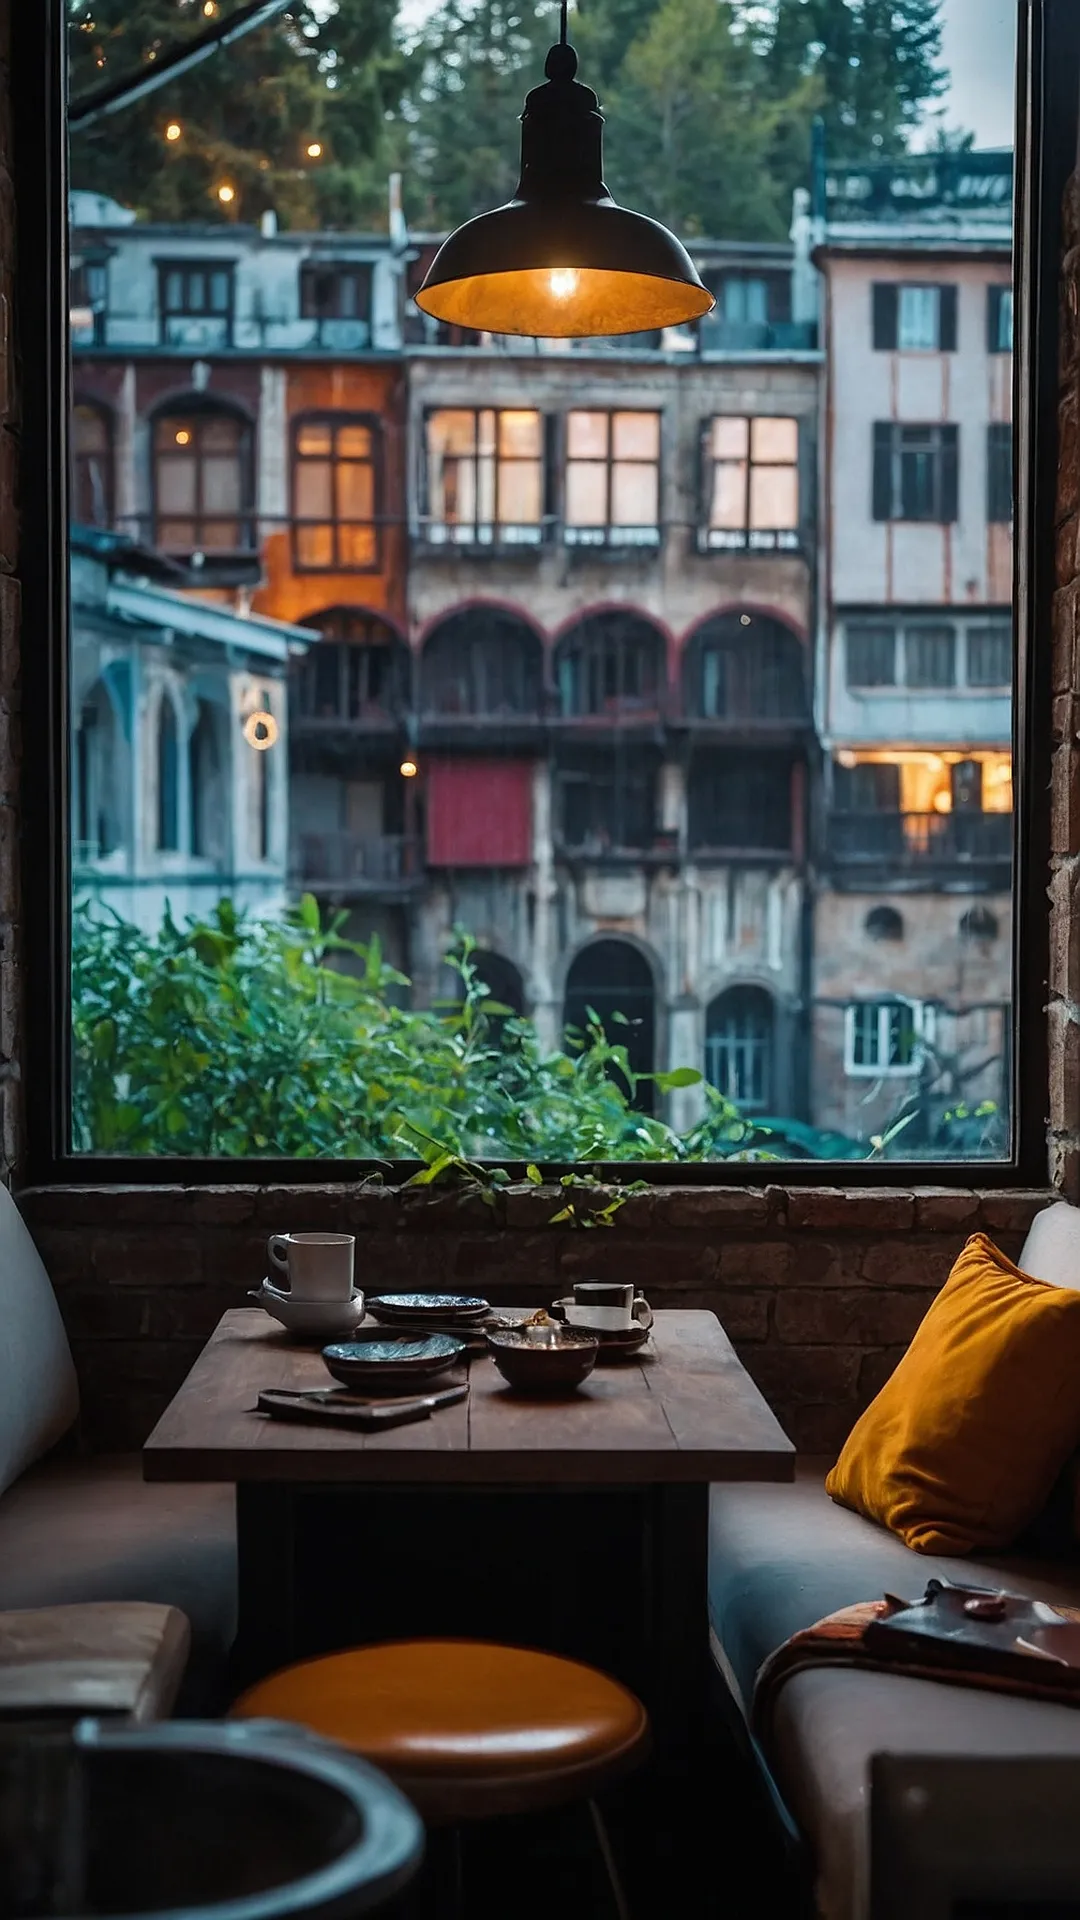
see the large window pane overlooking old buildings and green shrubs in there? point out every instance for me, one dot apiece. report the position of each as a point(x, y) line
point(668, 675)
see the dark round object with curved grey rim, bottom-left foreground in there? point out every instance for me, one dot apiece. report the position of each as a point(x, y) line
point(199, 1819)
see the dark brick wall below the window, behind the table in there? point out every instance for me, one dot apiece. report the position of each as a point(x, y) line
point(820, 1289)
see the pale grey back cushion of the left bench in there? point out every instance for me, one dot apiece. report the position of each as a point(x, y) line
point(39, 1395)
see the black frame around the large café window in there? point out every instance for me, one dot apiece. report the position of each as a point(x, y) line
point(1046, 156)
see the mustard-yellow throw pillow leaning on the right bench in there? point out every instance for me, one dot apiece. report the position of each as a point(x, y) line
point(964, 1443)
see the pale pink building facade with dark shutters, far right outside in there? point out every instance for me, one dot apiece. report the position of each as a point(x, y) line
point(912, 921)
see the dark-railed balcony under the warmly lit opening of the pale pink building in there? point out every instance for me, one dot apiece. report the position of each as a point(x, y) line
point(925, 848)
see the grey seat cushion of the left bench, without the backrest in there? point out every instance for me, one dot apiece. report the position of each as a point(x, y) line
point(91, 1529)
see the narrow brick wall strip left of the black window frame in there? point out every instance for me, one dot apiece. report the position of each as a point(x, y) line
point(11, 759)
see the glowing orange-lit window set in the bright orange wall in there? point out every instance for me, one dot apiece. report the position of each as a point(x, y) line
point(335, 494)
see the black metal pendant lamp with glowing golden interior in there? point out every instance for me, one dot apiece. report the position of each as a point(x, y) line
point(562, 260)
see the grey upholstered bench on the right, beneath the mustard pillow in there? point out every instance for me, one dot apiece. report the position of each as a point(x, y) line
point(781, 1558)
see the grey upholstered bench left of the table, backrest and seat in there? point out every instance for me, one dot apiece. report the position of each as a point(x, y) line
point(87, 1531)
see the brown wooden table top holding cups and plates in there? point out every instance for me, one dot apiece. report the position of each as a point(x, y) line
point(683, 1410)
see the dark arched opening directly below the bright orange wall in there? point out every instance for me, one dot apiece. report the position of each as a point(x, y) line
point(360, 669)
